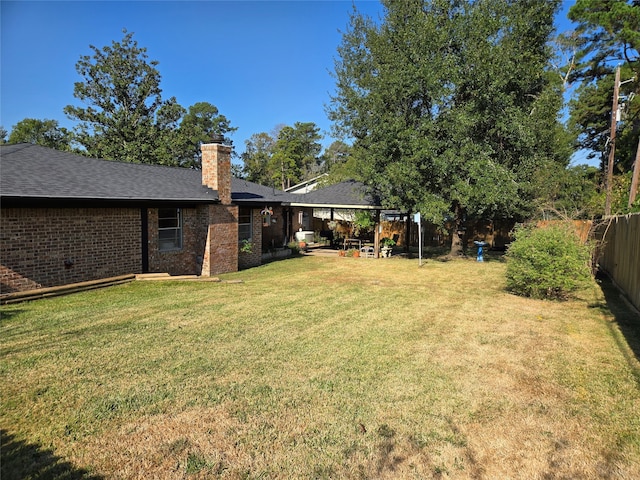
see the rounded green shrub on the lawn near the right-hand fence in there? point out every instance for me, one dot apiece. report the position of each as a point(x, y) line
point(549, 262)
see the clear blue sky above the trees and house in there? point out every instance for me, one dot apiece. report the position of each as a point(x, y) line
point(262, 63)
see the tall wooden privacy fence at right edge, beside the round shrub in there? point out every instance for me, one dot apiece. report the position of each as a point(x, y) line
point(620, 253)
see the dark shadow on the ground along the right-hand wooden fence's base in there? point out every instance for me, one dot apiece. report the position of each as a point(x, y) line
point(627, 320)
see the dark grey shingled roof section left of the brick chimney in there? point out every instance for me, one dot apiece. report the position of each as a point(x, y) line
point(36, 172)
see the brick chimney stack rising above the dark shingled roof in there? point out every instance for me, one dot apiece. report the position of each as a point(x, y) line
point(216, 168)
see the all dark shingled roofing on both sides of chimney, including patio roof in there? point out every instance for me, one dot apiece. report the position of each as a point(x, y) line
point(33, 172)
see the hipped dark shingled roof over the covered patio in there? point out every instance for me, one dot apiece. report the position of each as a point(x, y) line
point(349, 194)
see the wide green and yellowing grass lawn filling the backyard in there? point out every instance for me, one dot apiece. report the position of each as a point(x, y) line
point(320, 368)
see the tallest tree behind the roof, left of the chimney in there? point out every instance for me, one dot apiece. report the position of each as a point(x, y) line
point(121, 88)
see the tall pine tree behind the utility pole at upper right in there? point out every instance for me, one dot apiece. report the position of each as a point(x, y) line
point(607, 35)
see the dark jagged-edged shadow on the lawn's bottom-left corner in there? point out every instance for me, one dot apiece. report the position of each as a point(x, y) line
point(19, 460)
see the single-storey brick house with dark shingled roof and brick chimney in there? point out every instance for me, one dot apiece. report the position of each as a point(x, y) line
point(66, 218)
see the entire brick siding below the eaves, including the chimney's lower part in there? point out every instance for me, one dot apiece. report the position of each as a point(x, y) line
point(105, 242)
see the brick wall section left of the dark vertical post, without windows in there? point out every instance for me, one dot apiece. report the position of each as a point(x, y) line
point(45, 247)
